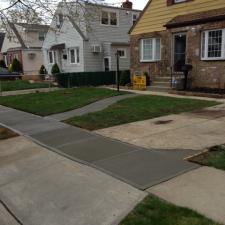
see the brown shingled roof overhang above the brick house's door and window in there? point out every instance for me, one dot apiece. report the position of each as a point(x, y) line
point(197, 18)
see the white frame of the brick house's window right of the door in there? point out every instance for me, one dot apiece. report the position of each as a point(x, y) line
point(204, 55)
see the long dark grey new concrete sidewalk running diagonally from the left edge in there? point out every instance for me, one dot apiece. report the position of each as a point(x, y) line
point(139, 167)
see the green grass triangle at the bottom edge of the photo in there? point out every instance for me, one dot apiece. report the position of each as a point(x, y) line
point(153, 211)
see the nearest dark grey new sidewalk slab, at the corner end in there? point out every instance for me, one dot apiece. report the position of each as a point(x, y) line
point(145, 168)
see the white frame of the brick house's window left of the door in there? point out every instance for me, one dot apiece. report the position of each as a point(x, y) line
point(153, 50)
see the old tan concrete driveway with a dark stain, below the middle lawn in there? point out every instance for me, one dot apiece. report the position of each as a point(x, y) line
point(196, 131)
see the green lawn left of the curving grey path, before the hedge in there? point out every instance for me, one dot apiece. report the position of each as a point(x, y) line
point(56, 101)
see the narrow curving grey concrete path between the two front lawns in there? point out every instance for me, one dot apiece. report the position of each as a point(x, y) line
point(94, 107)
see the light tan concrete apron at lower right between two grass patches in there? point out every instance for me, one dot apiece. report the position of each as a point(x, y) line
point(202, 189)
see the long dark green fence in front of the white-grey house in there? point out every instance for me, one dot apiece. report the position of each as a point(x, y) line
point(87, 78)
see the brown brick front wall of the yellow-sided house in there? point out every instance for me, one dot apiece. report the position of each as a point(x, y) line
point(204, 74)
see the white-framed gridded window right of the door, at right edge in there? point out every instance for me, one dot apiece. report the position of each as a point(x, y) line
point(213, 45)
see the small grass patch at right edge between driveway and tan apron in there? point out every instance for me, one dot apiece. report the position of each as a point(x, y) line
point(215, 157)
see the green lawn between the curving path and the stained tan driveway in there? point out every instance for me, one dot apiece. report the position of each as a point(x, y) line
point(137, 109)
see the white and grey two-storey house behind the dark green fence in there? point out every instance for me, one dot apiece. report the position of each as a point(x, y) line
point(90, 42)
